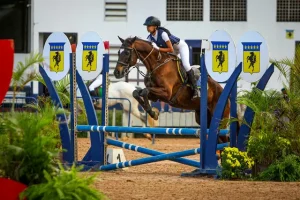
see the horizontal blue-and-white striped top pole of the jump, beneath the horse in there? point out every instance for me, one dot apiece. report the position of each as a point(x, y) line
point(160, 131)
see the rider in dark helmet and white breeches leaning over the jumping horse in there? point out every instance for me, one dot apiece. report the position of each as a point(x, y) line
point(164, 41)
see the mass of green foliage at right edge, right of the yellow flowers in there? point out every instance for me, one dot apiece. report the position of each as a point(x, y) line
point(274, 140)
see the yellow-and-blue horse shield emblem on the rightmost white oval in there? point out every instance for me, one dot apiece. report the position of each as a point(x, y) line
point(251, 57)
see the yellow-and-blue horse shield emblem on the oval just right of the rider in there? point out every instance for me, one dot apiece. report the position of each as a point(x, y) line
point(220, 56)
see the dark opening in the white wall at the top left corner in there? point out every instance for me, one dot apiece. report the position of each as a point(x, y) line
point(14, 23)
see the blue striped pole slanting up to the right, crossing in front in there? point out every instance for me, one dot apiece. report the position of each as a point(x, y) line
point(151, 159)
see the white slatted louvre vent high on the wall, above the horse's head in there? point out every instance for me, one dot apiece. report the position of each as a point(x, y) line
point(116, 10)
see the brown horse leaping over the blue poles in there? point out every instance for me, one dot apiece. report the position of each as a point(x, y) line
point(165, 80)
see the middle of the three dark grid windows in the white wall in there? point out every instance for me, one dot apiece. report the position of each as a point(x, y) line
point(228, 10)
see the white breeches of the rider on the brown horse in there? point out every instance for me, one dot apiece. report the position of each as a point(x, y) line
point(183, 49)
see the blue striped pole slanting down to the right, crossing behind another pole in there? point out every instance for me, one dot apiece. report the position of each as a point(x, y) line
point(151, 152)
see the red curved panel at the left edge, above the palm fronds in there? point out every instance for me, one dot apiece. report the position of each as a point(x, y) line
point(7, 63)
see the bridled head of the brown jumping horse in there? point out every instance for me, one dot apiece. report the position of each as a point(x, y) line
point(127, 57)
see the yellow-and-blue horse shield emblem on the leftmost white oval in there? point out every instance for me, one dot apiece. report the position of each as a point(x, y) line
point(57, 56)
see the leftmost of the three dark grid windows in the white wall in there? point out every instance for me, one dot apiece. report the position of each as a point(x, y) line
point(182, 10)
